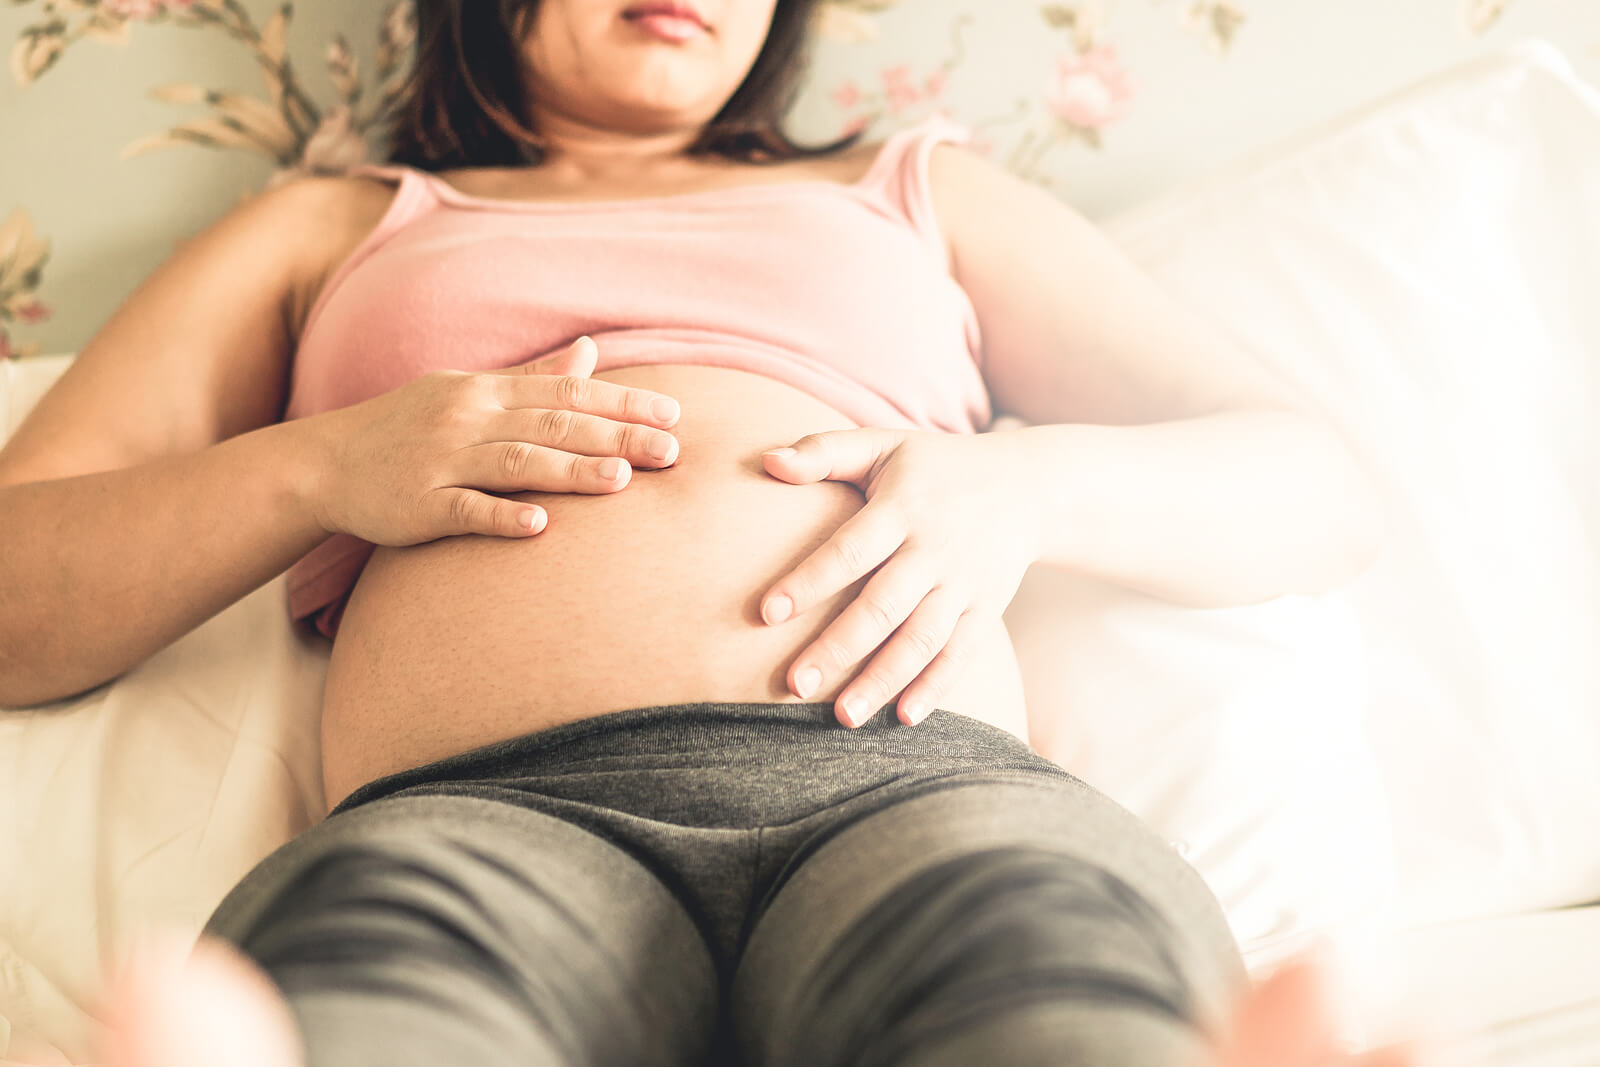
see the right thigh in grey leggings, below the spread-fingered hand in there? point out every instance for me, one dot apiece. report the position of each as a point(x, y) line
point(1017, 921)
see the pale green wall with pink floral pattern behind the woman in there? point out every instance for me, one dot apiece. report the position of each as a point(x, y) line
point(1196, 106)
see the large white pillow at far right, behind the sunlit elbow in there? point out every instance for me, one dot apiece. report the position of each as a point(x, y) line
point(1426, 273)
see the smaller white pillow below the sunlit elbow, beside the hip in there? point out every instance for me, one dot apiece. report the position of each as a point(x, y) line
point(1236, 733)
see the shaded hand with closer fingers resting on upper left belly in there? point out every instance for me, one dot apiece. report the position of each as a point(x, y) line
point(422, 462)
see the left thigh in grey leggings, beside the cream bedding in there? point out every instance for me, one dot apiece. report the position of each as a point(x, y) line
point(455, 930)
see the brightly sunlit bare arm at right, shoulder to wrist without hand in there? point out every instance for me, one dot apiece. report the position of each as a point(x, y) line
point(1166, 460)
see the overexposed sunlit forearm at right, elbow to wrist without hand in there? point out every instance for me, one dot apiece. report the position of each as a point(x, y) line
point(1215, 511)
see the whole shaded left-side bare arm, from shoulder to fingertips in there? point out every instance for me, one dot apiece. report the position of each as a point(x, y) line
point(154, 484)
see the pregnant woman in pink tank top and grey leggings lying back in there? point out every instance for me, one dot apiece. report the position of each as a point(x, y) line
point(633, 460)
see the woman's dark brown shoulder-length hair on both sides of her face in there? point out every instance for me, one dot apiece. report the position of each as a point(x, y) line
point(465, 103)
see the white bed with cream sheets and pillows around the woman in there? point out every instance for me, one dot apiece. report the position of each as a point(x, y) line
point(1406, 767)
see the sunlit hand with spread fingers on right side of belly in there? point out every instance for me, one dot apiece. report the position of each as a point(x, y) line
point(951, 519)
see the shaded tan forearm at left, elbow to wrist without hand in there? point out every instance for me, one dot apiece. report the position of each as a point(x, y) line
point(102, 570)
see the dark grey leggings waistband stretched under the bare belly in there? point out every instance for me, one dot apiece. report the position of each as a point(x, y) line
point(718, 764)
